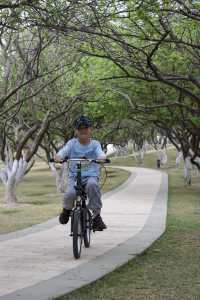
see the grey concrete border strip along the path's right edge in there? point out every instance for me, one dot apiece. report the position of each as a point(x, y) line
point(100, 266)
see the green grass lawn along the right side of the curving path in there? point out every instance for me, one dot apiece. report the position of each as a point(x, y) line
point(170, 268)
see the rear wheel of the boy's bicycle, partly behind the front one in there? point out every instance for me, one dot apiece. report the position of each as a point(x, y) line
point(87, 227)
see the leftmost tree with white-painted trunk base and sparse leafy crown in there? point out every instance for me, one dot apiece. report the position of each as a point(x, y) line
point(31, 70)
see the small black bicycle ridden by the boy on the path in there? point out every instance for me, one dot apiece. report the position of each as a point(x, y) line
point(81, 217)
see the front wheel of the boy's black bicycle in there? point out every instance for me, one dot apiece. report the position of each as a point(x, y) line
point(77, 234)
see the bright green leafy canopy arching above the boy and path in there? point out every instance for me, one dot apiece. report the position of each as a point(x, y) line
point(137, 63)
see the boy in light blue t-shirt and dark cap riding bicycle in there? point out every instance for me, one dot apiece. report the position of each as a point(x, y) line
point(83, 146)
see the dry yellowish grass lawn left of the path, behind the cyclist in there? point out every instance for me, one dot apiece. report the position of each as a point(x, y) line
point(39, 200)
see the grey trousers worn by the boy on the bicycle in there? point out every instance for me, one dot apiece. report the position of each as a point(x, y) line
point(93, 193)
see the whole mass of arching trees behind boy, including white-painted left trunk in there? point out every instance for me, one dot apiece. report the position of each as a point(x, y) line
point(133, 66)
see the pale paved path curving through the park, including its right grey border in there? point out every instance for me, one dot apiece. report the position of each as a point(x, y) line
point(39, 264)
